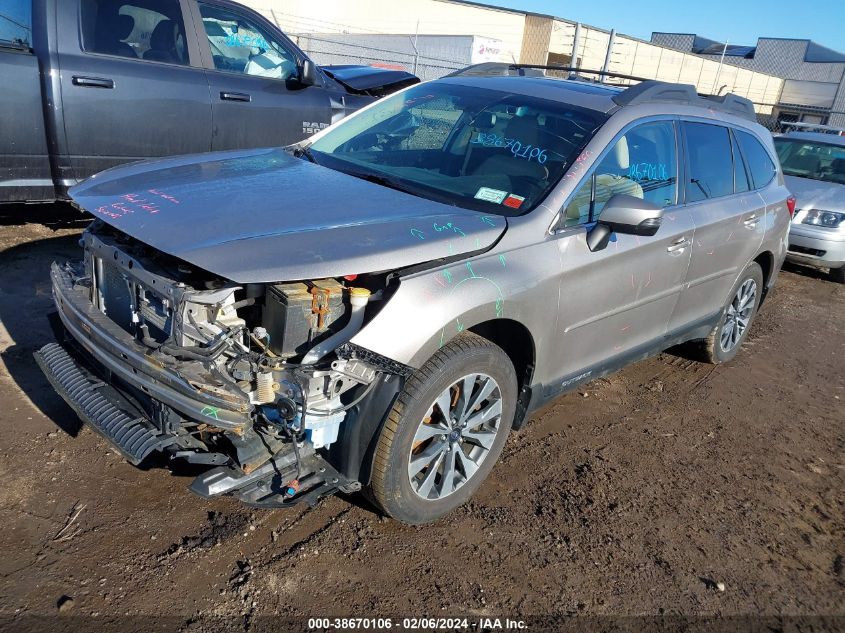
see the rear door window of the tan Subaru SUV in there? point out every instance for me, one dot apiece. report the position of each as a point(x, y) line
point(710, 169)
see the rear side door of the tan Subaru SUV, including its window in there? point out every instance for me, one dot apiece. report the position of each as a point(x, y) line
point(729, 217)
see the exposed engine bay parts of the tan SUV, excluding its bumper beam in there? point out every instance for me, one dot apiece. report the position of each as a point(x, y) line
point(274, 346)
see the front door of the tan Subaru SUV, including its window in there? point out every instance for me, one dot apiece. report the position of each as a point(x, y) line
point(615, 303)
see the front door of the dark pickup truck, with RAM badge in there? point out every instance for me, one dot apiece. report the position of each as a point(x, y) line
point(253, 70)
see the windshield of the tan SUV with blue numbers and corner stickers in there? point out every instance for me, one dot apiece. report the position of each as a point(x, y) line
point(480, 149)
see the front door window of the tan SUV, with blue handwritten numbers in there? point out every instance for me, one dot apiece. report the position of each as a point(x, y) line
point(641, 163)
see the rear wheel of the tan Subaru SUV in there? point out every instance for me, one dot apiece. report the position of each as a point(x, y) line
point(725, 339)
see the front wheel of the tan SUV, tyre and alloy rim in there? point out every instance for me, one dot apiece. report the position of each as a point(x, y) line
point(445, 431)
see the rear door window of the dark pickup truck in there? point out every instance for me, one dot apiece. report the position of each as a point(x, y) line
point(138, 29)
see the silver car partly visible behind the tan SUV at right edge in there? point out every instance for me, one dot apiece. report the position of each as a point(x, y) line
point(814, 170)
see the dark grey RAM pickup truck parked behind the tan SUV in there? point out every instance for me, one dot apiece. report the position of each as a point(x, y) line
point(90, 84)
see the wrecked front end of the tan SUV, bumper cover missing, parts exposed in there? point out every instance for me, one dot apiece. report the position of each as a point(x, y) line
point(161, 357)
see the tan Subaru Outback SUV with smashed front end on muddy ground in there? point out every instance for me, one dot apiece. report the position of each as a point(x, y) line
point(379, 306)
